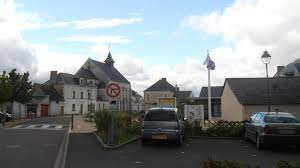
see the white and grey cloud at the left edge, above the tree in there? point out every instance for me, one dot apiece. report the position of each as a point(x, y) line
point(14, 51)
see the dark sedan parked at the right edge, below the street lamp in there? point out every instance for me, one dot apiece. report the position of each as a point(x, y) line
point(273, 128)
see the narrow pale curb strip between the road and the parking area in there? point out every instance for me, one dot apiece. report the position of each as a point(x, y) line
point(60, 160)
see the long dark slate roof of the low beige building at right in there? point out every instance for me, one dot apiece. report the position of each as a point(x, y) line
point(253, 91)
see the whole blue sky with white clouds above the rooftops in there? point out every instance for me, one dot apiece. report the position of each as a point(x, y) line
point(150, 40)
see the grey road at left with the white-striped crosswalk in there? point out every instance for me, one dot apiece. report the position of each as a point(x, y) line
point(29, 147)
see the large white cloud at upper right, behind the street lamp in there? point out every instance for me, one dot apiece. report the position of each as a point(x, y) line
point(248, 28)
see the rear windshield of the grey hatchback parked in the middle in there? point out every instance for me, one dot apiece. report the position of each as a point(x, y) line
point(160, 115)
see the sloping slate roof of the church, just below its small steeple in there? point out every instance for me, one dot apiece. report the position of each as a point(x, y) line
point(110, 71)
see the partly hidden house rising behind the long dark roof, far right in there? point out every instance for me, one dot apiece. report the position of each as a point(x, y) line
point(292, 69)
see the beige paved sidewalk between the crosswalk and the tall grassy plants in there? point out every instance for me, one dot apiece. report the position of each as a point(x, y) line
point(82, 126)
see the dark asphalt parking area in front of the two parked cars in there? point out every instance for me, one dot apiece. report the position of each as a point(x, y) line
point(84, 151)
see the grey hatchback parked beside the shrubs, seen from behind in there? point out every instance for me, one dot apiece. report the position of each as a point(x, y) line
point(162, 124)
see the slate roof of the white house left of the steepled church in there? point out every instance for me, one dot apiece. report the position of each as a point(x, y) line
point(63, 78)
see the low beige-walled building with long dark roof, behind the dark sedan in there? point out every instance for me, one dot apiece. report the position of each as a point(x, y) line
point(241, 97)
